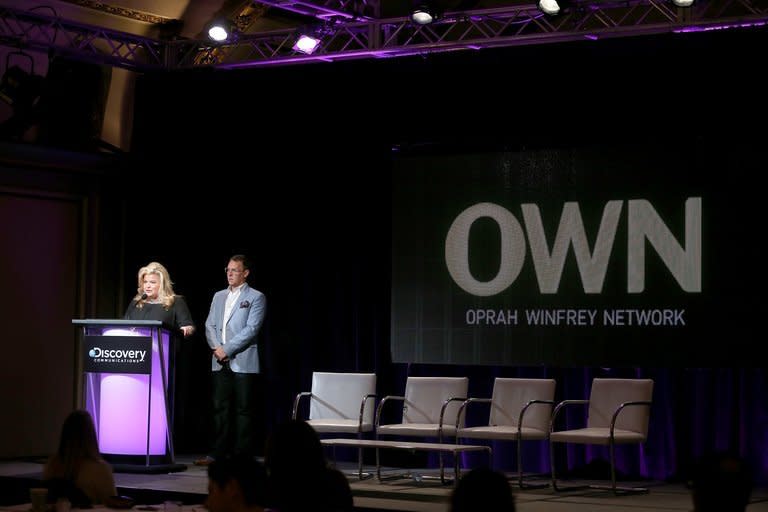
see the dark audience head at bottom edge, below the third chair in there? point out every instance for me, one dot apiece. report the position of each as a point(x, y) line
point(483, 489)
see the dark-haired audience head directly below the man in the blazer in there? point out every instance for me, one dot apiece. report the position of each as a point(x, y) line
point(236, 484)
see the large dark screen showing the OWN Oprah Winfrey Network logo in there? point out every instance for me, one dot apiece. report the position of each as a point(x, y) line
point(448, 300)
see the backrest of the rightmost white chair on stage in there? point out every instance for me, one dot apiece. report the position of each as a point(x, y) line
point(608, 394)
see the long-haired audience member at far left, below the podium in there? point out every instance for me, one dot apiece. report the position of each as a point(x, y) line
point(77, 471)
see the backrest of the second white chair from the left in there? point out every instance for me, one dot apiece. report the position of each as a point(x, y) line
point(424, 398)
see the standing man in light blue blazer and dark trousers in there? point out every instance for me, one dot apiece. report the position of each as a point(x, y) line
point(233, 324)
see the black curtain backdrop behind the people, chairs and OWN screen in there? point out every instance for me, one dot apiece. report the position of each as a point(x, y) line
point(295, 165)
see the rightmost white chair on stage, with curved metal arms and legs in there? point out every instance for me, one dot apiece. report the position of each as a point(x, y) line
point(619, 410)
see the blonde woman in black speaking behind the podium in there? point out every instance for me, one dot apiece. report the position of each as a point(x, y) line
point(156, 300)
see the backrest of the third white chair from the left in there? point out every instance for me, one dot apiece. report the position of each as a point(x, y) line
point(510, 396)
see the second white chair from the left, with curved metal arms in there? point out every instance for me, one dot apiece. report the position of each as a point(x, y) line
point(430, 409)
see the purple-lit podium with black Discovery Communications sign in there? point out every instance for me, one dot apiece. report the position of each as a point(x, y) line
point(127, 385)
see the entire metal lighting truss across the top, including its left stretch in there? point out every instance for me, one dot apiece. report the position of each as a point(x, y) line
point(354, 38)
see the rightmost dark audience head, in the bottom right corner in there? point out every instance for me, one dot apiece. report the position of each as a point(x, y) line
point(721, 482)
